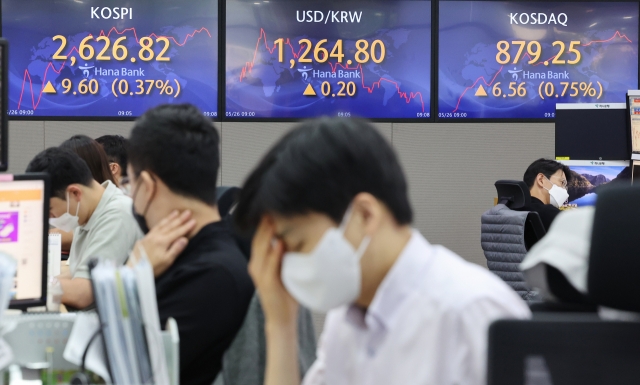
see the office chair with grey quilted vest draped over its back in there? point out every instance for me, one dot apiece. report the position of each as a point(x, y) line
point(507, 235)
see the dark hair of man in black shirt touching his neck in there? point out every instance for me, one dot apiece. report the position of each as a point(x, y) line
point(180, 145)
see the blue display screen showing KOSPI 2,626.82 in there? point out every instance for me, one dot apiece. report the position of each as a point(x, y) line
point(100, 59)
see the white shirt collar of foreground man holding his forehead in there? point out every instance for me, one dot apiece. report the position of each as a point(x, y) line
point(405, 275)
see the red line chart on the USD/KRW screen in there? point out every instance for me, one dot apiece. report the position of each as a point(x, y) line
point(248, 67)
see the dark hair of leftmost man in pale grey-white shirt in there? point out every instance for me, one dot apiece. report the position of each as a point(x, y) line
point(64, 168)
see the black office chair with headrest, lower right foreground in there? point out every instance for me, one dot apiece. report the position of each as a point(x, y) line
point(562, 349)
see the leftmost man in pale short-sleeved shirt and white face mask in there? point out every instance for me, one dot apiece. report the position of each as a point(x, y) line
point(99, 215)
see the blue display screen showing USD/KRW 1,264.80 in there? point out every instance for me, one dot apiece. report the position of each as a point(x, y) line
point(300, 59)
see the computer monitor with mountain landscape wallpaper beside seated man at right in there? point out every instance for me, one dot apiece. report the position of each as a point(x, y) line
point(587, 176)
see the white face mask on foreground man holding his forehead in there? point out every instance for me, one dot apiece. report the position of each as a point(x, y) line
point(329, 276)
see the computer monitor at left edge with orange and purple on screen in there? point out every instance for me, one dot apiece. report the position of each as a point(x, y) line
point(24, 230)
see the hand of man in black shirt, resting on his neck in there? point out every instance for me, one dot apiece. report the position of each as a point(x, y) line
point(165, 241)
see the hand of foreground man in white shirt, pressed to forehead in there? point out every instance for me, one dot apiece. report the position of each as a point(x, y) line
point(264, 267)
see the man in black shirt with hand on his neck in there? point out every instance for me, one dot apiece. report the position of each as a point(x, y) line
point(201, 274)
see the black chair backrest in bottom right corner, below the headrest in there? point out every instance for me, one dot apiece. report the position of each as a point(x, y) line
point(564, 350)
